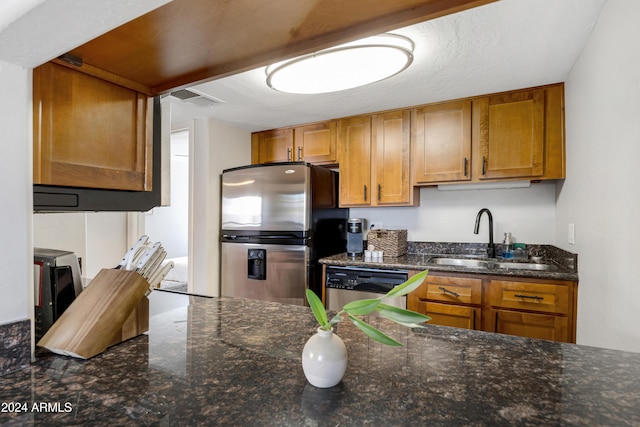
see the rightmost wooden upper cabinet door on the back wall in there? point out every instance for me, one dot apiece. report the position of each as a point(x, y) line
point(511, 134)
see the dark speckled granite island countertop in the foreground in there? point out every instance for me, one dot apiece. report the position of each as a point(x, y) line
point(221, 361)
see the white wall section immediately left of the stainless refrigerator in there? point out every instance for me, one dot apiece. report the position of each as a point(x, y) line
point(217, 146)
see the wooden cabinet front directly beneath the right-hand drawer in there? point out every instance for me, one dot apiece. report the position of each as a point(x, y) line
point(532, 325)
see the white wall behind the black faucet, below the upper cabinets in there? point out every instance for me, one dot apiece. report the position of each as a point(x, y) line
point(449, 216)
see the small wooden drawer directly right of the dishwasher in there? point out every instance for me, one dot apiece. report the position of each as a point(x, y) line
point(451, 289)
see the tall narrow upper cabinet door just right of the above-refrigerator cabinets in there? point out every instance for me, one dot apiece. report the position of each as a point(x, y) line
point(354, 141)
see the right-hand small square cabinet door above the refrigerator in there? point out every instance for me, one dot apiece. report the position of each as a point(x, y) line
point(316, 143)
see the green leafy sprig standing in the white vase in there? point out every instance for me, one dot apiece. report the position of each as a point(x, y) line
point(364, 307)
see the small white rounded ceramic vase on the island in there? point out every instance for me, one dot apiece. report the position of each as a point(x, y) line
point(324, 359)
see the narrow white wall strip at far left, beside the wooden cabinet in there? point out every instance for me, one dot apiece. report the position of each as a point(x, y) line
point(16, 192)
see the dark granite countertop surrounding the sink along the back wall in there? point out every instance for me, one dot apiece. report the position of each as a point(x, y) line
point(418, 258)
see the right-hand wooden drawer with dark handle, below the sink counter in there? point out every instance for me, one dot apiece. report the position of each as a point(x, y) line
point(542, 297)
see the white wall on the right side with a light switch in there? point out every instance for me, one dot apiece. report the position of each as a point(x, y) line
point(601, 195)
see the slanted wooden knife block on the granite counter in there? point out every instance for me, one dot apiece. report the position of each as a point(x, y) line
point(112, 309)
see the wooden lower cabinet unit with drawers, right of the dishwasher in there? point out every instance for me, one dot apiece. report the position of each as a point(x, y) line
point(534, 308)
